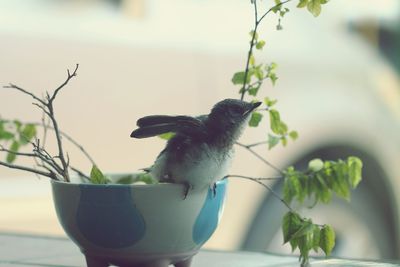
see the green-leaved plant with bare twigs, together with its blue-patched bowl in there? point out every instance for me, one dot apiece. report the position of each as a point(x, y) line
point(133, 219)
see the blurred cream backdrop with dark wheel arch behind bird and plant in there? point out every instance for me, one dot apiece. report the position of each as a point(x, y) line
point(338, 86)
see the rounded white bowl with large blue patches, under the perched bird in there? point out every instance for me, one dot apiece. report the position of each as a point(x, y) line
point(142, 225)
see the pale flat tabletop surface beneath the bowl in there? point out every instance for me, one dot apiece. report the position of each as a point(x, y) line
point(27, 250)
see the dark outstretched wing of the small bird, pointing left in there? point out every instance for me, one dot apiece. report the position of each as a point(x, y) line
point(158, 124)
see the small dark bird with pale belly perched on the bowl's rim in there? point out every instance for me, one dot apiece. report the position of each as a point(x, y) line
point(201, 150)
